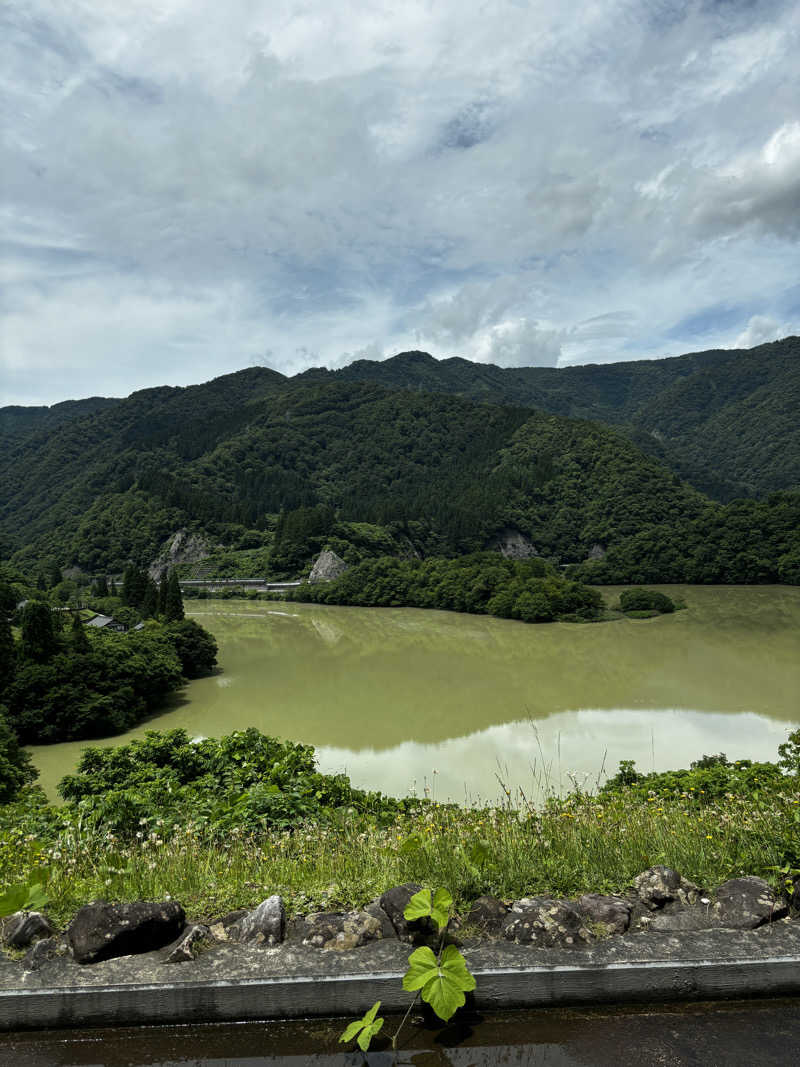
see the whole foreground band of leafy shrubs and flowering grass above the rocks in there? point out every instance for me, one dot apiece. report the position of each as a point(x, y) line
point(121, 836)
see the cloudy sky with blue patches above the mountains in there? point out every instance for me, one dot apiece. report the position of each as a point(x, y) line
point(193, 187)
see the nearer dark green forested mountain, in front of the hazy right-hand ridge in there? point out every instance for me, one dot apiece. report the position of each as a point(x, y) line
point(228, 456)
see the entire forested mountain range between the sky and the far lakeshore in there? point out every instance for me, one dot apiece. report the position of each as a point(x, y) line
point(268, 471)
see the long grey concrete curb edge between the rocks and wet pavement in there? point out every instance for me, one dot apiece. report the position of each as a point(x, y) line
point(350, 995)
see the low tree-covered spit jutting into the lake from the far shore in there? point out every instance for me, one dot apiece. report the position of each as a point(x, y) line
point(482, 584)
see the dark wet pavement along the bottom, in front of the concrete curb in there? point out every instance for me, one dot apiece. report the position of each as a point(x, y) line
point(729, 1034)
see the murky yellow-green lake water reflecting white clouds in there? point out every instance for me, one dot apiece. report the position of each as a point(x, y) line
point(404, 699)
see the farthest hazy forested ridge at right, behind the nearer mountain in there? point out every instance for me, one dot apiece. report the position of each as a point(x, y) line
point(726, 421)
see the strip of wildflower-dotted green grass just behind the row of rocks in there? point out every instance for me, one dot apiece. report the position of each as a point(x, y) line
point(574, 846)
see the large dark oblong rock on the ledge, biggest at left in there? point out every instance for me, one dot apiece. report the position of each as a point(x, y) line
point(102, 931)
